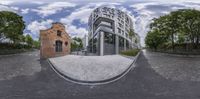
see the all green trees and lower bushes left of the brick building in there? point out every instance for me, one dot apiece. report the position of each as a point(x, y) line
point(12, 27)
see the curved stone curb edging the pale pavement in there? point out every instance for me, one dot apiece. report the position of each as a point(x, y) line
point(94, 82)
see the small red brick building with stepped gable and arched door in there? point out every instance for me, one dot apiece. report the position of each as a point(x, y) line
point(55, 41)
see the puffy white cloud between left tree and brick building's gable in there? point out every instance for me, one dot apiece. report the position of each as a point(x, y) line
point(36, 26)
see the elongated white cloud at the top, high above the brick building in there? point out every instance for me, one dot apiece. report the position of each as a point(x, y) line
point(52, 8)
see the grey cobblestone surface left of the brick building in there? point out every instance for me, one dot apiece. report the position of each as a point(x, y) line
point(15, 65)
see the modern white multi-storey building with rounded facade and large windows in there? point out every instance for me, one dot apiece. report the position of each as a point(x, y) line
point(109, 31)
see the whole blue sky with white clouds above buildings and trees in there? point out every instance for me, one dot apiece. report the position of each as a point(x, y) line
point(39, 14)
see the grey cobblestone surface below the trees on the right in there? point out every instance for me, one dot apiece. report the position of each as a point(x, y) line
point(180, 68)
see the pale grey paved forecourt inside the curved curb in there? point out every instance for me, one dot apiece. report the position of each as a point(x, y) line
point(91, 68)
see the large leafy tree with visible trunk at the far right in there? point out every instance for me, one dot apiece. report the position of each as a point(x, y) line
point(182, 26)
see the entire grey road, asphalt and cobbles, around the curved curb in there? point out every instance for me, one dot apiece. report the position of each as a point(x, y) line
point(146, 81)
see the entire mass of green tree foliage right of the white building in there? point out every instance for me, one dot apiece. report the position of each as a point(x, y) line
point(178, 27)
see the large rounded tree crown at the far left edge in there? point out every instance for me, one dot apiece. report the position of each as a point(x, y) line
point(11, 26)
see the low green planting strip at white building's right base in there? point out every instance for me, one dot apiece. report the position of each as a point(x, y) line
point(132, 52)
